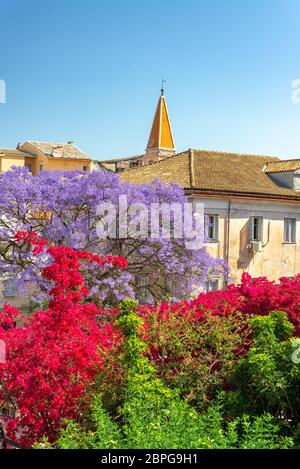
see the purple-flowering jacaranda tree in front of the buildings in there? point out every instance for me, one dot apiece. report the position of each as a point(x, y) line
point(62, 207)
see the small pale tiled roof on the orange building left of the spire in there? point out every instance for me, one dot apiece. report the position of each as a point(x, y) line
point(60, 150)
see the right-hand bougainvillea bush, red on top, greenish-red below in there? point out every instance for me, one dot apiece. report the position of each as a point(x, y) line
point(195, 345)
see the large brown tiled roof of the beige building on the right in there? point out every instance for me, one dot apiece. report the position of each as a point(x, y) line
point(212, 171)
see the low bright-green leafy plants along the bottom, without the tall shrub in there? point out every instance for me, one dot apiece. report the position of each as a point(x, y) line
point(180, 427)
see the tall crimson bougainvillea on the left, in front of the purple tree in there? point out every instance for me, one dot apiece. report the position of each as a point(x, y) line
point(52, 361)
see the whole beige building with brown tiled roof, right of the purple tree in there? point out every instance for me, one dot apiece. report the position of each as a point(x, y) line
point(252, 207)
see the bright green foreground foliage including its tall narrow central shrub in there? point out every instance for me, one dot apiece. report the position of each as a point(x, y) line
point(154, 416)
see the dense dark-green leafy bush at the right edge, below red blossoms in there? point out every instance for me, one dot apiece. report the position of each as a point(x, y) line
point(267, 380)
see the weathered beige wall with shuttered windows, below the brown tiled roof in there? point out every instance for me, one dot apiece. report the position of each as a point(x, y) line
point(255, 236)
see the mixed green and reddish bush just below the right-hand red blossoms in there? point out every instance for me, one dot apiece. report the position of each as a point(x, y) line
point(196, 357)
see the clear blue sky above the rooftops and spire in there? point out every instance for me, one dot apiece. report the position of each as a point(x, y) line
point(90, 71)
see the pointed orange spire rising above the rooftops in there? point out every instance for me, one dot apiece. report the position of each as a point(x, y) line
point(160, 143)
